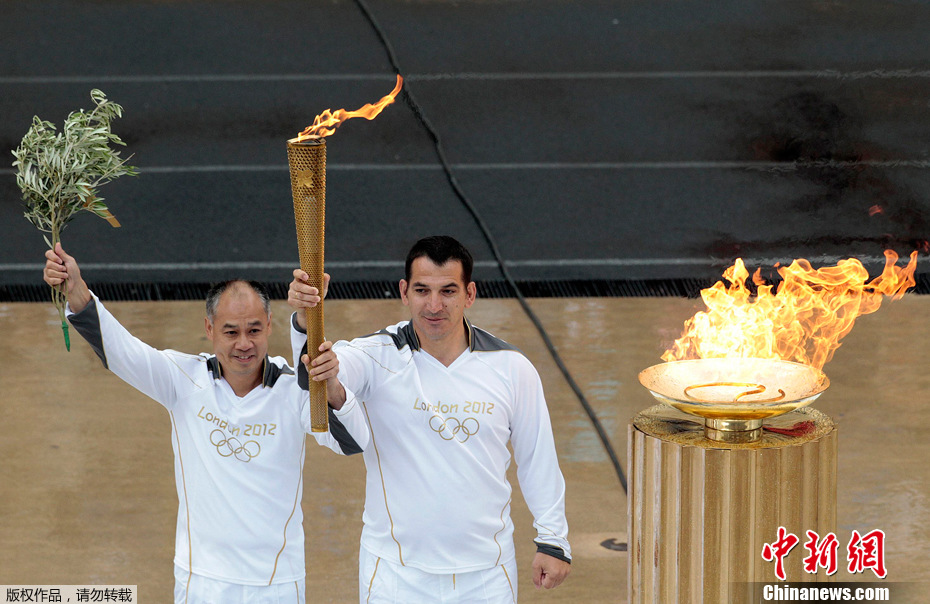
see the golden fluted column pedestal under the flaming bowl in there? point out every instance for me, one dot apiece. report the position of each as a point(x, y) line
point(700, 511)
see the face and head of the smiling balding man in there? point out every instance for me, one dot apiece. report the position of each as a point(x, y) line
point(239, 331)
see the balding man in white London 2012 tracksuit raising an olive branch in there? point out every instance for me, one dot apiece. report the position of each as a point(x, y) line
point(239, 423)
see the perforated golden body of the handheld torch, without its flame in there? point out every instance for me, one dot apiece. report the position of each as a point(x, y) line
point(307, 161)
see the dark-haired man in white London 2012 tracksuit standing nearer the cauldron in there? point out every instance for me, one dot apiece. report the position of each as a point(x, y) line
point(442, 399)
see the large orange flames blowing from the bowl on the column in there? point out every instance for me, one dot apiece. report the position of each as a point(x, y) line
point(802, 321)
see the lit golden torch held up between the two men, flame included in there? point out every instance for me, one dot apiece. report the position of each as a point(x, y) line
point(306, 157)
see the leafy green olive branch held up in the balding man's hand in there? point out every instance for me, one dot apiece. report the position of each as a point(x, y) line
point(59, 173)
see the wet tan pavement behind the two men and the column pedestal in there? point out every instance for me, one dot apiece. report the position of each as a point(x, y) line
point(87, 493)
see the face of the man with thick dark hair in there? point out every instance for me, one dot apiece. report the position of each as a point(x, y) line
point(437, 297)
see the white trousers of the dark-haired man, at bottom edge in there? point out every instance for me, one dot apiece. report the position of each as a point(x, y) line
point(383, 582)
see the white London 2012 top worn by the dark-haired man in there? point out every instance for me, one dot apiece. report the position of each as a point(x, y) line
point(437, 494)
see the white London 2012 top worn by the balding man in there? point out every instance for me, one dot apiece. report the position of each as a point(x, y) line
point(238, 461)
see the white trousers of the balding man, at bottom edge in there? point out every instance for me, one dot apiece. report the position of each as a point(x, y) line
point(197, 589)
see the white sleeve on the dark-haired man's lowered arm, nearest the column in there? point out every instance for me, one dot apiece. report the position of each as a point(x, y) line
point(541, 480)
